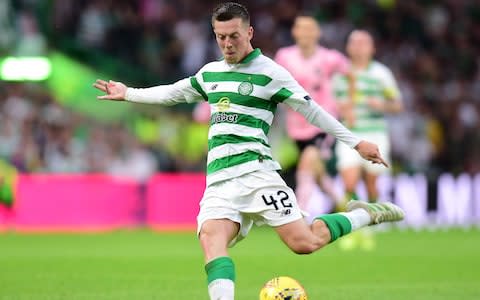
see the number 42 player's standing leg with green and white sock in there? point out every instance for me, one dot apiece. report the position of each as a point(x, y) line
point(215, 236)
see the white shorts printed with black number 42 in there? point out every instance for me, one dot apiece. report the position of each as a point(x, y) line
point(260, 196)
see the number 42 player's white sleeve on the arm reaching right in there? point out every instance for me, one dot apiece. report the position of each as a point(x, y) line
point(289, 91)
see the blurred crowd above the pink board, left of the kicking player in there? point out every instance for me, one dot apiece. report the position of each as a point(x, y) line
point(38, 134)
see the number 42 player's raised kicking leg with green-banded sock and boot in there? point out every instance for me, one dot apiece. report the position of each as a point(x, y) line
point(302, 239)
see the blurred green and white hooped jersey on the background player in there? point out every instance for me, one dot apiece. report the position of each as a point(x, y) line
point(377, 82)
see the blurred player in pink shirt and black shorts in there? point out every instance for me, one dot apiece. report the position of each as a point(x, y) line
point(313, 66)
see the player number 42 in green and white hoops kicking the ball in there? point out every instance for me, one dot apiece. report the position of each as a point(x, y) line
point(243, 185)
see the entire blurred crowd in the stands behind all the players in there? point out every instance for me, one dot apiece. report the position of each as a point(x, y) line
point(431, 46)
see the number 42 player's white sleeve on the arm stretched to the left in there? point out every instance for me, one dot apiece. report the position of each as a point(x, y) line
point(187, 90)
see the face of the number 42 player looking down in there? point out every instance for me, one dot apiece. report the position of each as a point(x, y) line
point(233, 38)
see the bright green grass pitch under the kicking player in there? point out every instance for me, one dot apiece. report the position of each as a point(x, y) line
point(147, 265)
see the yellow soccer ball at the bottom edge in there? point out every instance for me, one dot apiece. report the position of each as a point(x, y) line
point(283, 288)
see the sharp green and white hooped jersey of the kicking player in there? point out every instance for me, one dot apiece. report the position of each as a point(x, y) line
point(243, 99)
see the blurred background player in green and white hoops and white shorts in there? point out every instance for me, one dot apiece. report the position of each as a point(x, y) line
point(376, 94)
